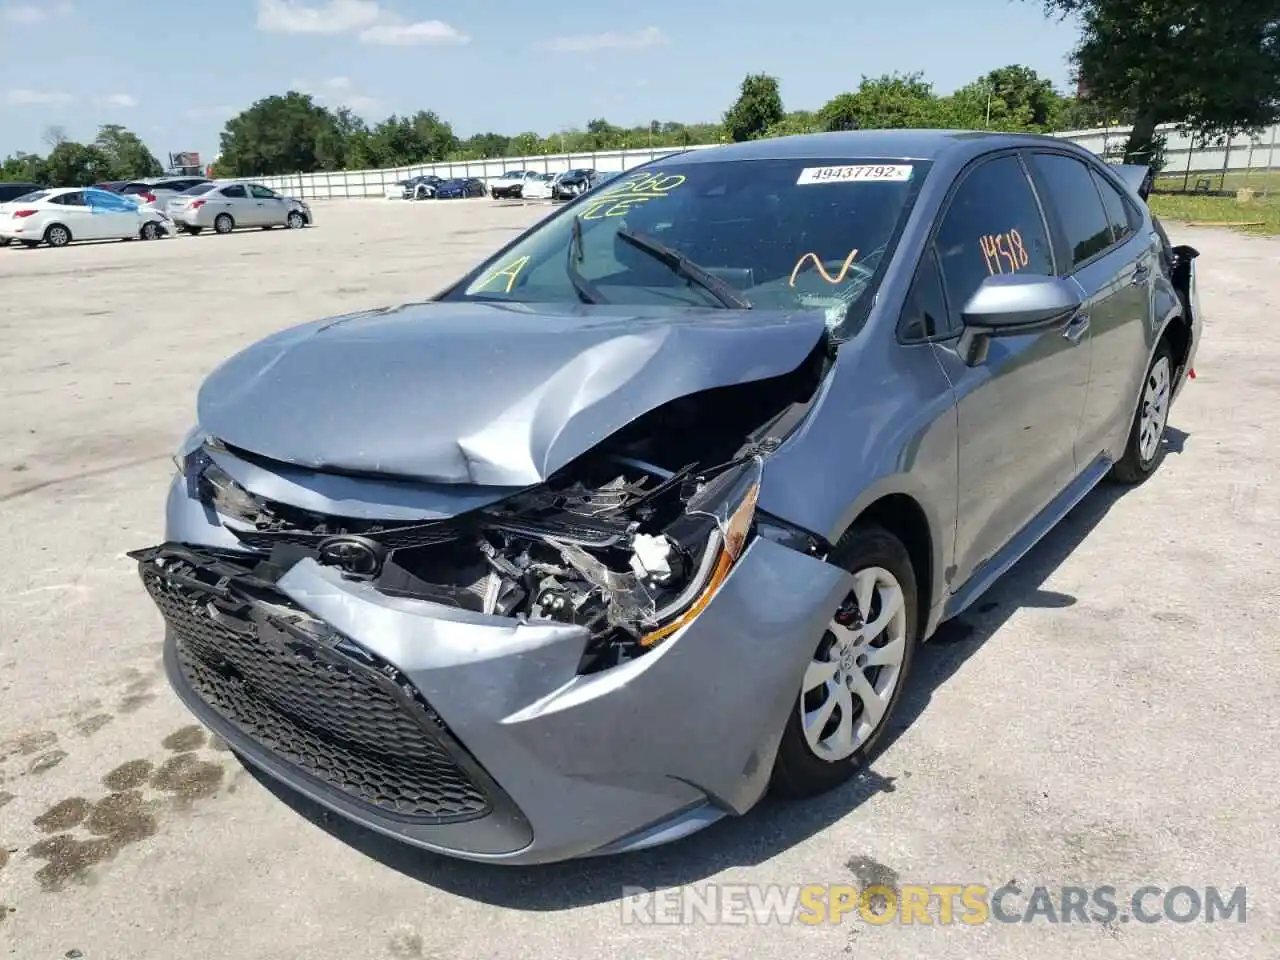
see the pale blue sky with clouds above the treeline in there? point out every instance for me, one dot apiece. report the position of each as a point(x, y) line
point(175, 72)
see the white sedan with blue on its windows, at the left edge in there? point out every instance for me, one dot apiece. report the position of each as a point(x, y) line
point(67, 214)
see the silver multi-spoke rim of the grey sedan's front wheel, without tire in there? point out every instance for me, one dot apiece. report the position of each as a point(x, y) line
point(857, 669)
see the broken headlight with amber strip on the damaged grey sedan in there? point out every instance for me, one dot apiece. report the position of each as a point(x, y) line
point(714, 533)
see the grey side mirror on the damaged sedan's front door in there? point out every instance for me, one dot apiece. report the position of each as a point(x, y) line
point(1008, 305)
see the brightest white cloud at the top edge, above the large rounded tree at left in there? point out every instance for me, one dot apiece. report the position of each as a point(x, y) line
point(364, 19)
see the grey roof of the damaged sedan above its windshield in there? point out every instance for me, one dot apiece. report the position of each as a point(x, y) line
point(894, 144)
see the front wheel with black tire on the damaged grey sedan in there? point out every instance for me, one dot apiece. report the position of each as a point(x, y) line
point(858, 671)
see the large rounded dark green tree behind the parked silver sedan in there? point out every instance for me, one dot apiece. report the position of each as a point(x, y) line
point(278, 135)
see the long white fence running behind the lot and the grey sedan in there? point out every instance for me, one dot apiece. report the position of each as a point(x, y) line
point(1245, 154)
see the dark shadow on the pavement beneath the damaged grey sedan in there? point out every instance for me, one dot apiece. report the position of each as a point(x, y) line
point(774, 826)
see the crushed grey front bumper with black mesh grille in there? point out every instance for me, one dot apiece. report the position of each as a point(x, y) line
point(474, 735)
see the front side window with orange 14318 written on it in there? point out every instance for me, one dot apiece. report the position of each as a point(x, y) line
point(994, 226)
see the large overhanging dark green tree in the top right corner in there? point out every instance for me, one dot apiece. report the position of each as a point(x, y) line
point(1213, 68)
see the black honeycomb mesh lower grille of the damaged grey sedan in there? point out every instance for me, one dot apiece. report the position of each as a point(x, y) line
point(313, 698)
